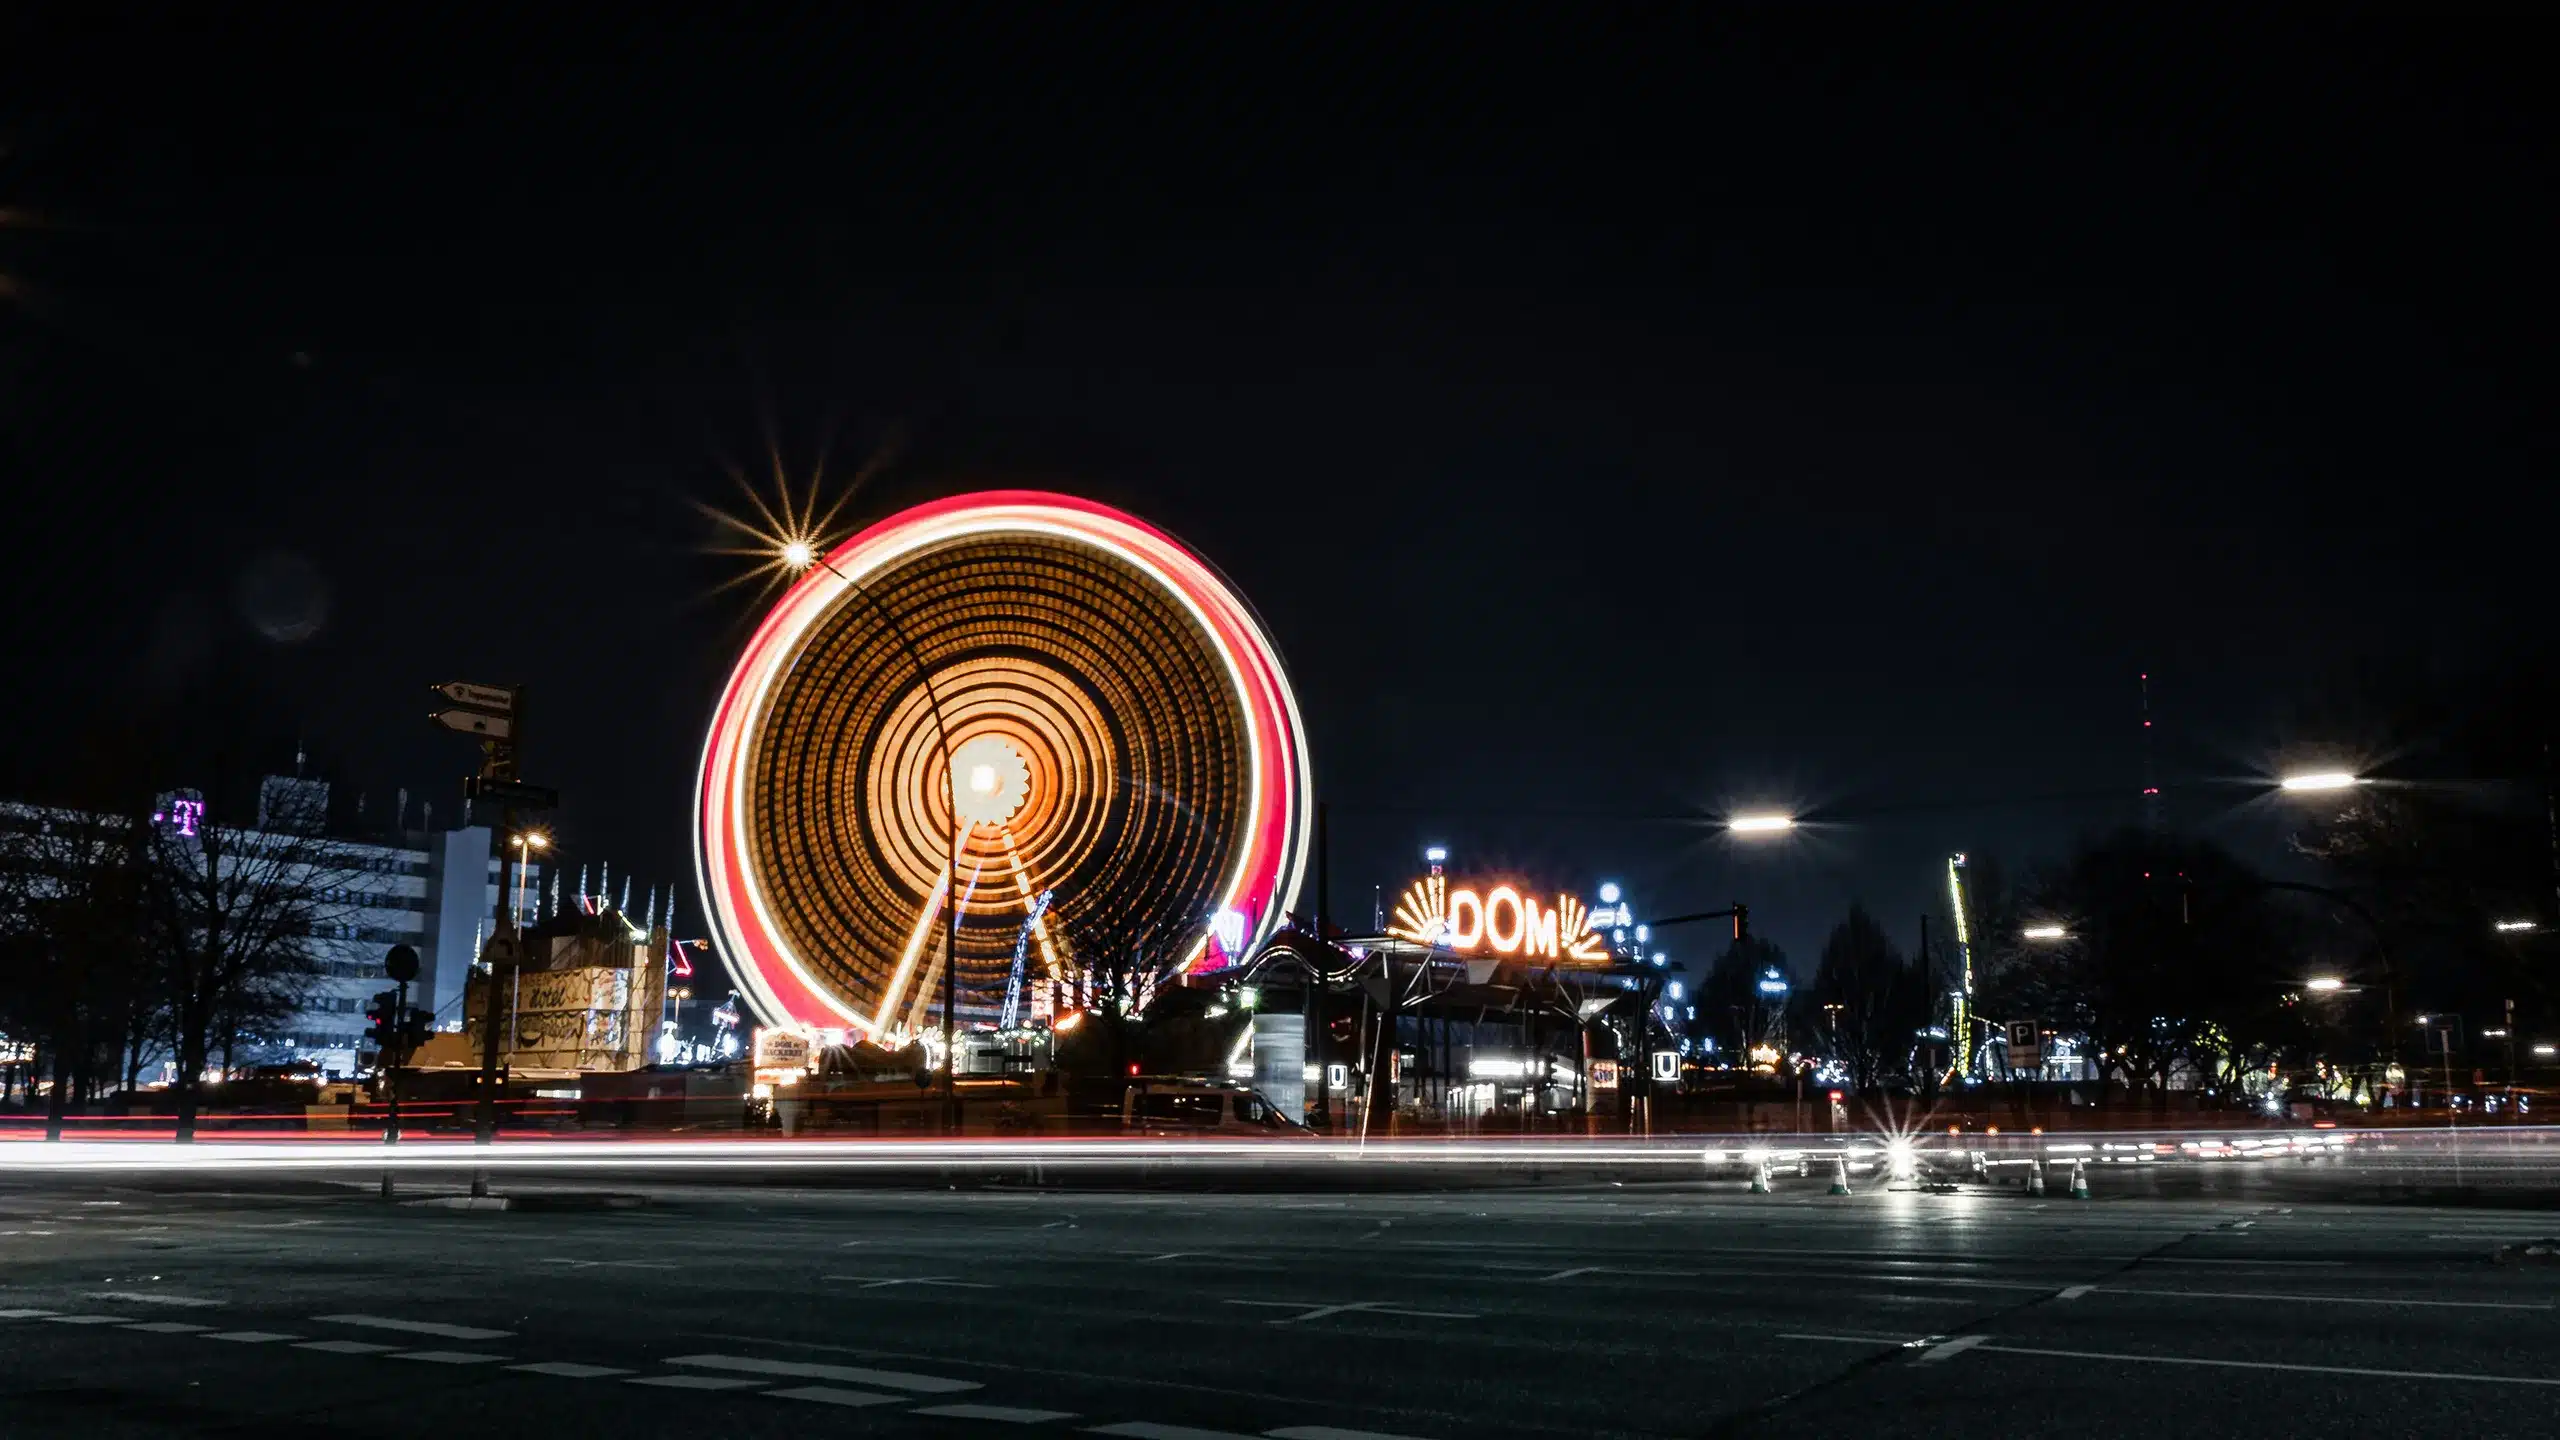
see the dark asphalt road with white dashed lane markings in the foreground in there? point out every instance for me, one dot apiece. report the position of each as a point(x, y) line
point(211, 1305)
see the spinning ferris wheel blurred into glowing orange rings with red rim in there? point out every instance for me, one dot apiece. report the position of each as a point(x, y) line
point(1025, 706)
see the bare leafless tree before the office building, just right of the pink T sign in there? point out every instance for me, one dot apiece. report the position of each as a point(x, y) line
point(239, 916)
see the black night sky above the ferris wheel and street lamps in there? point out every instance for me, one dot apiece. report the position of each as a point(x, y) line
point(1614, 424)
